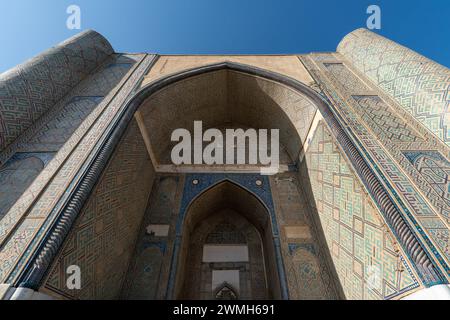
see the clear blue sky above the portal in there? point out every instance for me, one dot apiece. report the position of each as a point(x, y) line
point(28, 27)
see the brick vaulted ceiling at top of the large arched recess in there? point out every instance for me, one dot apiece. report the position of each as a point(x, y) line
point(227, 98)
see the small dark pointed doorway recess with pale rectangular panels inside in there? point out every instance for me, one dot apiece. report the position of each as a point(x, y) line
point(227, 249)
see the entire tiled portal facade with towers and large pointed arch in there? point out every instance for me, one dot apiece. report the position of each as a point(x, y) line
point(359, 208)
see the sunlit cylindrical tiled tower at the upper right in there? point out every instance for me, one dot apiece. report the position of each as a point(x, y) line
point(419, 85)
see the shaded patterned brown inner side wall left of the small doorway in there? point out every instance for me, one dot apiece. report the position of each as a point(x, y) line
point(102, 240)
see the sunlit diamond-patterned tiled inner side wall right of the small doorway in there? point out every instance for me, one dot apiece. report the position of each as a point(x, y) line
point(360, 245)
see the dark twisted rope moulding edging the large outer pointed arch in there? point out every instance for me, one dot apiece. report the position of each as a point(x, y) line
point(32, 275)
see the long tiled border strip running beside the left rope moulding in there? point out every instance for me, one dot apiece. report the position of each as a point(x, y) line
point(62, 170)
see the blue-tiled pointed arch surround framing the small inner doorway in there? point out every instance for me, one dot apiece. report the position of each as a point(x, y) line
point(242, 193)
